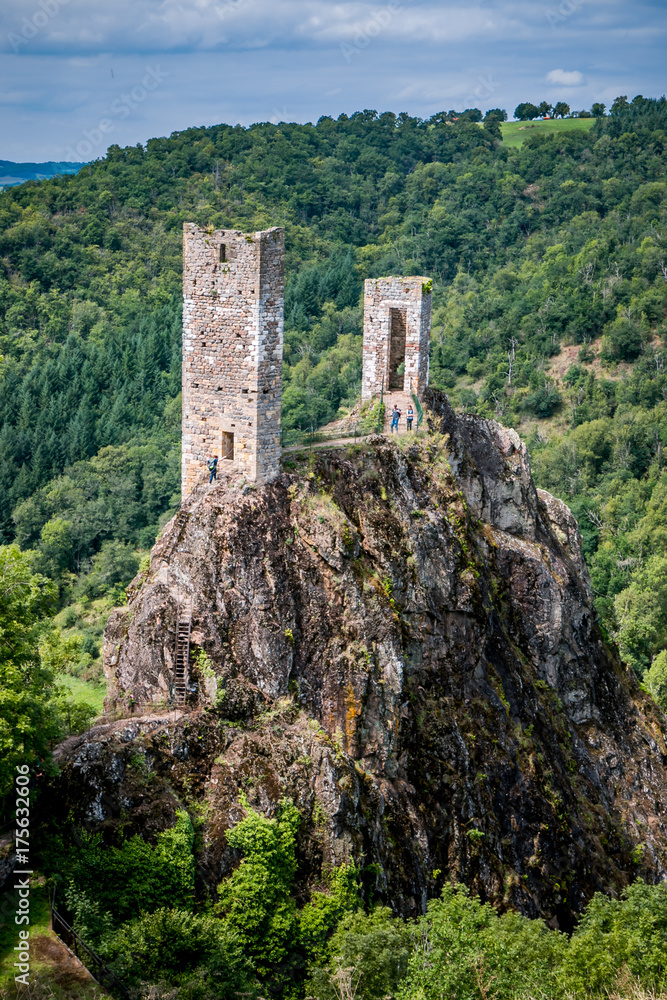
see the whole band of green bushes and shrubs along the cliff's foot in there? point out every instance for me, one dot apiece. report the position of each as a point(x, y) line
point(258, 941)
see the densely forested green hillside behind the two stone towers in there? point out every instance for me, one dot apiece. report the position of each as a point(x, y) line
point(555, 246)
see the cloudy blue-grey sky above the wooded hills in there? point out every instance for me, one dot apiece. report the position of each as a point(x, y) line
point(79, 75)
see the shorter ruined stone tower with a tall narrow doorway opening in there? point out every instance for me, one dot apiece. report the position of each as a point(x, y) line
point(397, 332)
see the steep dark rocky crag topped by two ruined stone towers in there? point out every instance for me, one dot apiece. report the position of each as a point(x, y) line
point(400, 638)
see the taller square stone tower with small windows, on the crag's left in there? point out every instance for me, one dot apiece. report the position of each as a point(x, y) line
point(233, 287)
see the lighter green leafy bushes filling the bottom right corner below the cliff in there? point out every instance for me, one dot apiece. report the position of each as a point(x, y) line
point(462, 949)
